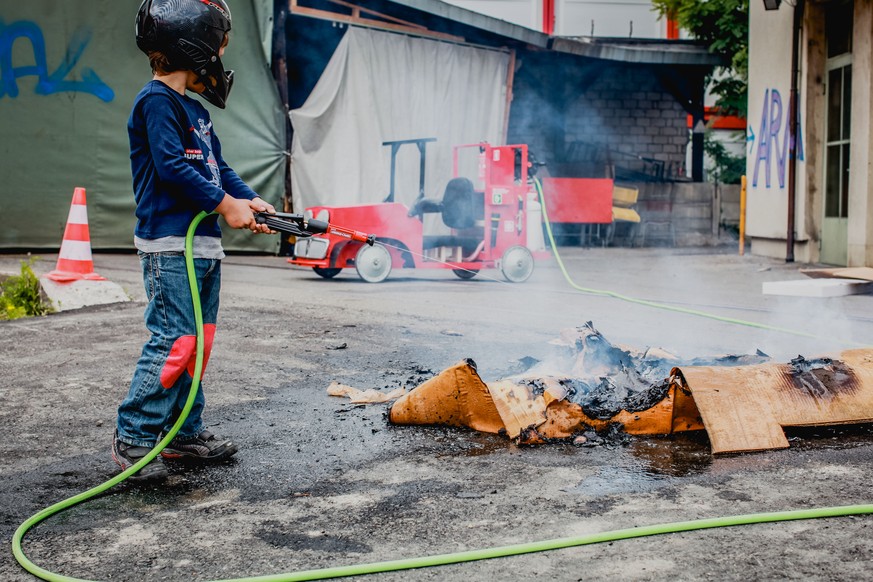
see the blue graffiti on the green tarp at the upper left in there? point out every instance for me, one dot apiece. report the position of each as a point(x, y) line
point(47, 83)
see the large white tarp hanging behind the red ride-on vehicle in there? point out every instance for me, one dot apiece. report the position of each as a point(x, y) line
point(380, 87)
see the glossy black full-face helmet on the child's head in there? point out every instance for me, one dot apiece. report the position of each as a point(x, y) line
point(189, 33)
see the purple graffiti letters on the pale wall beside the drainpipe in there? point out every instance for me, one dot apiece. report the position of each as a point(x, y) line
point(770, 150)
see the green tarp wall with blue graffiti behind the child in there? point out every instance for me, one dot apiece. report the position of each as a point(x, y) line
point(70, 72)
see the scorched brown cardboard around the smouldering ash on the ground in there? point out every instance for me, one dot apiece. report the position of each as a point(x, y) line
point(743, 408)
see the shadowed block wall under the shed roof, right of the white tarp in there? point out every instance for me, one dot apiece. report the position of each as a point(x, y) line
point(623, 110)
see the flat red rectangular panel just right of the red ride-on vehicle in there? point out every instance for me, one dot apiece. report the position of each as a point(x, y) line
point(582, 200)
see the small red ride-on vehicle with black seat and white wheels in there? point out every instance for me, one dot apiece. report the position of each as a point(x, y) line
point(487, 223)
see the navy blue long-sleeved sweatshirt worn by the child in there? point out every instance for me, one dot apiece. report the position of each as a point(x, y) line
point(177, 166)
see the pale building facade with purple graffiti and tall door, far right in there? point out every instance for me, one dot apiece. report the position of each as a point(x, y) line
point(810, 198)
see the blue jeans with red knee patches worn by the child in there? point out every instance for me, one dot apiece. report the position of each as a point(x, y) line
point(163, 374)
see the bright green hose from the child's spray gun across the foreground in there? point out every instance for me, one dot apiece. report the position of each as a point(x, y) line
point(404, 564)
